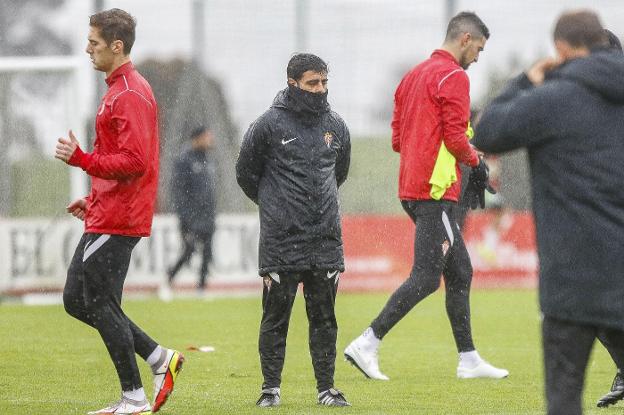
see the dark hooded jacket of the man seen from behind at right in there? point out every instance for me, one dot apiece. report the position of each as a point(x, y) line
point(573, 128)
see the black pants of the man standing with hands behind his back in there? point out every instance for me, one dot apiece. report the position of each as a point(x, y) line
point(319, 291)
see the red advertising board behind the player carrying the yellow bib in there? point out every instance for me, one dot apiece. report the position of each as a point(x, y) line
point(379, 250)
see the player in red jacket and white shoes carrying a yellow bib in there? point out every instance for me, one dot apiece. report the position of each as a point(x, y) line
point(430, 130)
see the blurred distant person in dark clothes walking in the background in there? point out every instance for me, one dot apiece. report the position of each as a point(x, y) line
point(193, 192)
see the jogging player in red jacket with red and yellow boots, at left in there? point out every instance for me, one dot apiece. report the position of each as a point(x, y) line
point(118, 211)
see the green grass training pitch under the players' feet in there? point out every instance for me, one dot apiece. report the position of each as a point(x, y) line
point(52, 364)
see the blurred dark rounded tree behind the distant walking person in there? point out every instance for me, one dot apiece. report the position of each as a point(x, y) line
point(188, 98)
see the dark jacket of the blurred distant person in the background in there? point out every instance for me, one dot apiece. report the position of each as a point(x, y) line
point(193, 191)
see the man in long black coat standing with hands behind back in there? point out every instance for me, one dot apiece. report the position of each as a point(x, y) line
point(292, 160)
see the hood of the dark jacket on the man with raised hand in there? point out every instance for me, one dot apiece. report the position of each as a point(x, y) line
point(602, 72)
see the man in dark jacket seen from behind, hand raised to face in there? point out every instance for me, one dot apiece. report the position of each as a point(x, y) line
point(568, 113)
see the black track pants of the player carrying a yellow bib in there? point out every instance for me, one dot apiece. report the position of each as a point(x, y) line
point(438, 250)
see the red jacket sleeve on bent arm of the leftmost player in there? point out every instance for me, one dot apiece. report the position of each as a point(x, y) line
point(131, 115)
